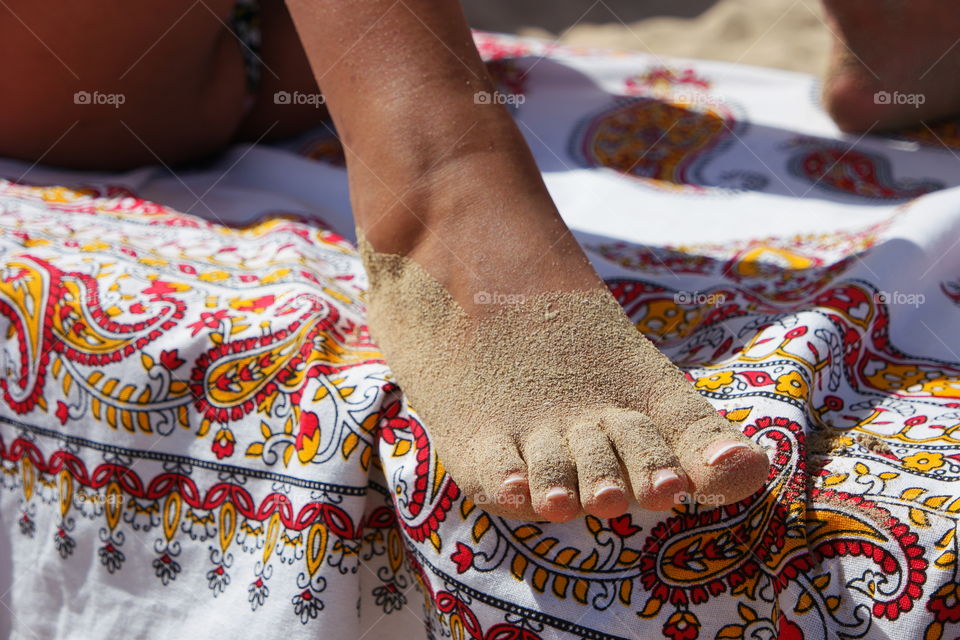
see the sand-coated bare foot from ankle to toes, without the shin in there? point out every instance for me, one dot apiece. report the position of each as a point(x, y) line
point(541, 397)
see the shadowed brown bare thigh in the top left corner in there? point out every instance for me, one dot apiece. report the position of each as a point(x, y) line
point(113, 84)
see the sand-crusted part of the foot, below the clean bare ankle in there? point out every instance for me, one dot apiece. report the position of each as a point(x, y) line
point(534, 402)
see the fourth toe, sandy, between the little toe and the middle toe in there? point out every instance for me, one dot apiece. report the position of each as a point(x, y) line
point(552, 476)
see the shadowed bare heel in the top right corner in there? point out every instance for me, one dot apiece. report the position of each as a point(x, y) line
point(894, 64)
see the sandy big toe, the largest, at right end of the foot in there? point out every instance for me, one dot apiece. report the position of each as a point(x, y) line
point(724, 465)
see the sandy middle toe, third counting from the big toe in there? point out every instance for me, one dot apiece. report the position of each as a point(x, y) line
point(603, 489)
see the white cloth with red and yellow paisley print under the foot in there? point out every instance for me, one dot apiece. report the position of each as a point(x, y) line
point(198, 438)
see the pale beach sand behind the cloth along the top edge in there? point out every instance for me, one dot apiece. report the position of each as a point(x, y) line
point(787, 34)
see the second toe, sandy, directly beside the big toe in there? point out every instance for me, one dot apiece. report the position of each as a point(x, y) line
point(656, 478)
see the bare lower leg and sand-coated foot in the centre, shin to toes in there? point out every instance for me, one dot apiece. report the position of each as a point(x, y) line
point(540, 408)
